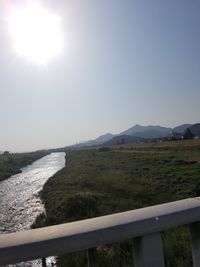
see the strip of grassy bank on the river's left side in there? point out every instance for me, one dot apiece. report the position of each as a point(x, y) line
point(12, 163)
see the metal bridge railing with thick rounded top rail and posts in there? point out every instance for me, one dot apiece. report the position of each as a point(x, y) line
point(143, 226)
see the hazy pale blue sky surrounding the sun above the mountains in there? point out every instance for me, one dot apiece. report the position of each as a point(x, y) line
point(124, 62)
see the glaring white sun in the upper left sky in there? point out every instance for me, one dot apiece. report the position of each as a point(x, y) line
point(36, 32)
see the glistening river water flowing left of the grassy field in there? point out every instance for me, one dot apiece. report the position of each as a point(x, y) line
point(19, 195)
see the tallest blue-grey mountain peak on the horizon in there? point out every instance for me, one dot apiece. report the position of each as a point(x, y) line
point(164, 131)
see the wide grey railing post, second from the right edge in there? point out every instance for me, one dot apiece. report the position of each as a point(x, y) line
point(148, 251)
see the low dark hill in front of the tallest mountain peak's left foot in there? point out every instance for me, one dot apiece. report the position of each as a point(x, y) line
point(123, 139)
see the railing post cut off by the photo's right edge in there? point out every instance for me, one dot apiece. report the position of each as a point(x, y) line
point(195, 243)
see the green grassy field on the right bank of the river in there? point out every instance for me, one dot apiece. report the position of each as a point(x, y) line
point(104, 181)
